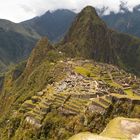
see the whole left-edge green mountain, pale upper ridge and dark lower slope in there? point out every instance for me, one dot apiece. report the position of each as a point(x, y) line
point(16, 43)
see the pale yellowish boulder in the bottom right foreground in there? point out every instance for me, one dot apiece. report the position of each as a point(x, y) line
point(118, 128)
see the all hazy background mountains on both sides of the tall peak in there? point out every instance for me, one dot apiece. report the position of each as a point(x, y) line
point(17, 40)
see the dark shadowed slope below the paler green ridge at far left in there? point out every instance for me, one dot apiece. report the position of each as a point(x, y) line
point(14, 47)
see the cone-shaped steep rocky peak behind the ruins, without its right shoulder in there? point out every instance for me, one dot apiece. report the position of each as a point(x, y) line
point(89, 37)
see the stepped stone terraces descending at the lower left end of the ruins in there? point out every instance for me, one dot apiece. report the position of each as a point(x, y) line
point(40, 107)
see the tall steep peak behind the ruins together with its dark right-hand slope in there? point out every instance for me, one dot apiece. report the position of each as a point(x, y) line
point(89, 37)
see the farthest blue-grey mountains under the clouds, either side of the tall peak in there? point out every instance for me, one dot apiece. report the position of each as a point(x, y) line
point(55, 24)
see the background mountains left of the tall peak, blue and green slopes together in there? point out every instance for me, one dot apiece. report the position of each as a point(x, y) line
point(17, 40)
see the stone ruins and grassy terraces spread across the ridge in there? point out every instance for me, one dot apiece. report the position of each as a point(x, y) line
point(87, 87)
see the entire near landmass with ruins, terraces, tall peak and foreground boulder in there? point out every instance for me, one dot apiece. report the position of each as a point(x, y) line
point(83, 88)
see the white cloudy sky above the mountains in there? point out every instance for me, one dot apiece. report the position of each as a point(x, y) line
point(19, 10)
